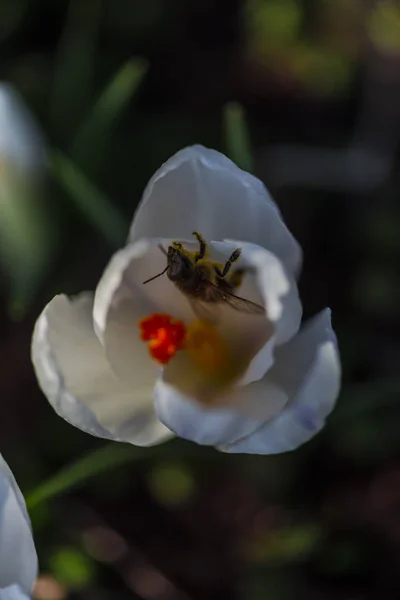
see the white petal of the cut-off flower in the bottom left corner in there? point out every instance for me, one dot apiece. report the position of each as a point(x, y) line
point(18, 560)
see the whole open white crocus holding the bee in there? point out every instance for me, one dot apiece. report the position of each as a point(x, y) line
point(244, 382)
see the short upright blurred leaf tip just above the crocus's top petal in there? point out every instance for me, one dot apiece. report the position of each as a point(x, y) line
point(237, 136)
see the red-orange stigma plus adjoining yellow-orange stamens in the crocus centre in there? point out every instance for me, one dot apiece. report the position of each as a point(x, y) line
point(201, 342)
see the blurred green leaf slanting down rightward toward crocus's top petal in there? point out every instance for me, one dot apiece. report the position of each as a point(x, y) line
point(96, 207)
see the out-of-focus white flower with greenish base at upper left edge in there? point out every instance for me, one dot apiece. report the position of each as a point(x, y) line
point(24, 231)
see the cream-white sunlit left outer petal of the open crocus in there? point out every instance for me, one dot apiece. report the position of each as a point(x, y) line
point(75, 376)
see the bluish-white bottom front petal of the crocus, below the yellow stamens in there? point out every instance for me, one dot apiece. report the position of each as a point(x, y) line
point(214, 426)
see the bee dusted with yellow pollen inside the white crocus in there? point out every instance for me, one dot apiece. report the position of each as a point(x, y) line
point(206, 284)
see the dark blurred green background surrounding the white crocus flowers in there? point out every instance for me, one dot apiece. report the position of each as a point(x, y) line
point(117, 87)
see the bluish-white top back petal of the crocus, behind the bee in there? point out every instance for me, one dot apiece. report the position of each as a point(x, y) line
point(200, 189)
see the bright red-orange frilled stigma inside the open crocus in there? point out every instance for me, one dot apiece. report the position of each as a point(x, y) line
point(165, 335)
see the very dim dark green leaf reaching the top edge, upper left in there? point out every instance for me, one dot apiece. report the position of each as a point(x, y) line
point(74, 66)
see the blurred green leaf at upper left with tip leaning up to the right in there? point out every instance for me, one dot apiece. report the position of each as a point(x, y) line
point(89, 147)
